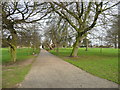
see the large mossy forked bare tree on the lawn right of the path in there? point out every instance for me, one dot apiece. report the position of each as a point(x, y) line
point(82, 16)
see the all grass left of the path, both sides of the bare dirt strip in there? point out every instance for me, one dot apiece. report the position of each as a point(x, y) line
point(12, 75)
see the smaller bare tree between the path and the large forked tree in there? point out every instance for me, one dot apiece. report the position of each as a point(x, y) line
point(57, 33)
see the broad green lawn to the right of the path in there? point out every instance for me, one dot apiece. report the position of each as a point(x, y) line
point(104, 65)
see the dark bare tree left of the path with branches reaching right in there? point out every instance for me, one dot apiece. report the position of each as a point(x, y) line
point(20, 12)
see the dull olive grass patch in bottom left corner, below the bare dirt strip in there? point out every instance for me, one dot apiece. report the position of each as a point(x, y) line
point(13, 75)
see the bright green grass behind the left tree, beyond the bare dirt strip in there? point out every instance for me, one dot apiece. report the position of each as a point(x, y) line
point(22, 54)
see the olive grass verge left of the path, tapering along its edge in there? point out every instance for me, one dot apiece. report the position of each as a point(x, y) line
point(17, 70)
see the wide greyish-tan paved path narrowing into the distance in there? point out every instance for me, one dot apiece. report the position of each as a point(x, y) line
point(49, 71)
